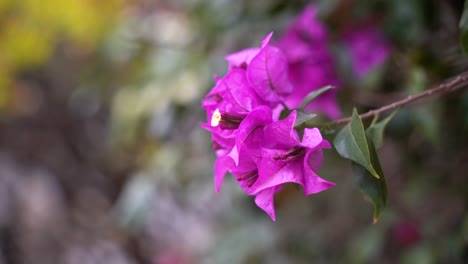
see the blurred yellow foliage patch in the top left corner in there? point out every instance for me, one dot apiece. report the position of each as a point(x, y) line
point(30, 30)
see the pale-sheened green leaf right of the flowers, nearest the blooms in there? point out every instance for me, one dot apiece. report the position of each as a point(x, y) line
point(351, 143)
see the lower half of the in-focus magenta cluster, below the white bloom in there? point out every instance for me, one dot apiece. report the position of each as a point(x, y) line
point(271, 156)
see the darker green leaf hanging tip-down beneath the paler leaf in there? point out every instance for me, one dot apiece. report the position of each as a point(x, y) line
point(374, 189)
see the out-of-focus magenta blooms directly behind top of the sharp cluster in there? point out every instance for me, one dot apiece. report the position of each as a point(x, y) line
point(311, 65)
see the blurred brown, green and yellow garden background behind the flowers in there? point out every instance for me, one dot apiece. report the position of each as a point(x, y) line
point(102, 159)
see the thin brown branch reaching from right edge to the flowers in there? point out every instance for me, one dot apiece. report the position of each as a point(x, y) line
point(443, 88)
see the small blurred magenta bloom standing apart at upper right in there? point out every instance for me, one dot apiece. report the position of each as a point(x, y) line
point(368, 48)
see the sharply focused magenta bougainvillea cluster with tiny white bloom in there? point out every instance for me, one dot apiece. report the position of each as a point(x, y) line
point(261, 151)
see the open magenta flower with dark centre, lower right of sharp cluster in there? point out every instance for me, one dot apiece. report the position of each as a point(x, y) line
point(285, 158)
